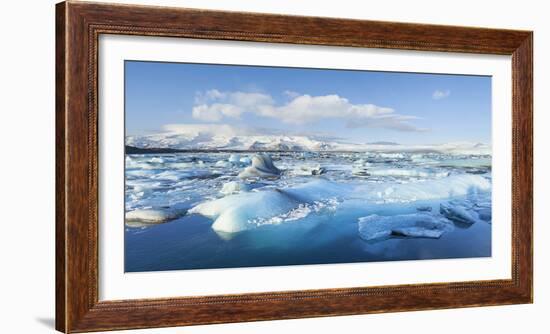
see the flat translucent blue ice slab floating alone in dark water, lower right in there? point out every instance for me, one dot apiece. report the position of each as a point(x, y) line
point(375, 227)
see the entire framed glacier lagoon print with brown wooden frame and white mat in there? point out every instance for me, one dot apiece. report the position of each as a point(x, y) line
point(222, 166)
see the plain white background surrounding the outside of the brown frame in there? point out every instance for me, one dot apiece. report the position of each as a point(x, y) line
point(27, 165)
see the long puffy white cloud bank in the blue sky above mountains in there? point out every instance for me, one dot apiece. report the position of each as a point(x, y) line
point(213, 106)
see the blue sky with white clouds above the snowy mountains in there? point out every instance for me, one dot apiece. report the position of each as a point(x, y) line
point(356, 106)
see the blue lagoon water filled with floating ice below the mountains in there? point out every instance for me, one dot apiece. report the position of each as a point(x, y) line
point(193, 210)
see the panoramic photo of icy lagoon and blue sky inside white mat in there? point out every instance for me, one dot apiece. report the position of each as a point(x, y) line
point(230, 166)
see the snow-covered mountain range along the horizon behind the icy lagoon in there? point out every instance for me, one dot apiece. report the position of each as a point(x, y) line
point(228, 141)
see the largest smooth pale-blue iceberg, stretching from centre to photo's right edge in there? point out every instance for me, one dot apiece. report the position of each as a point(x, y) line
point(242, 211)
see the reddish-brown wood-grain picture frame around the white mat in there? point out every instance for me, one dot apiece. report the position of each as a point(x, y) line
point(78, 26)
